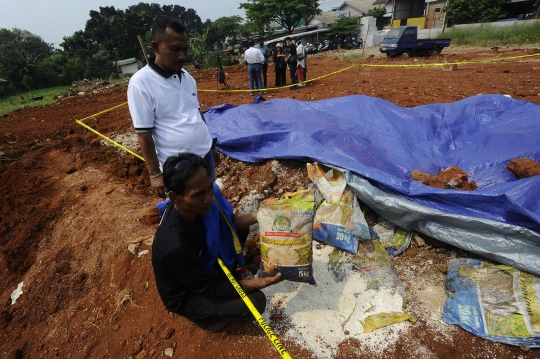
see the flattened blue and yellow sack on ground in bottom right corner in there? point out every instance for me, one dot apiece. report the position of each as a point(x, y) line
point(495, 302)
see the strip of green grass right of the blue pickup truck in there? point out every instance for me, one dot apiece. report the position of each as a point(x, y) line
point(523, 33)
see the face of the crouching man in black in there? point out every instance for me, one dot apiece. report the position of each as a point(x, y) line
point(198, 194)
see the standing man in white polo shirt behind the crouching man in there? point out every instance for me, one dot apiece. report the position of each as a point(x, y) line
point(163, 104)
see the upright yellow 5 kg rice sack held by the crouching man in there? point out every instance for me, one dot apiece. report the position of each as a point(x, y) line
point(286, 228)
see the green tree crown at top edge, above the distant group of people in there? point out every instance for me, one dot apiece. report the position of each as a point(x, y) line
point(288, 14)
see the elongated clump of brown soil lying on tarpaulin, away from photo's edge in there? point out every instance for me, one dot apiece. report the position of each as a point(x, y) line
point(450, 178)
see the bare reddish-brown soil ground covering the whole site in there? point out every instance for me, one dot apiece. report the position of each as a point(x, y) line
point(69, 208)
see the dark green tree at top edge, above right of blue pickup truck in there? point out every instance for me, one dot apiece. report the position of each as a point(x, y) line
point(467, 12)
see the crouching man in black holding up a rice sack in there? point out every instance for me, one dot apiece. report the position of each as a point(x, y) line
point(197, 228)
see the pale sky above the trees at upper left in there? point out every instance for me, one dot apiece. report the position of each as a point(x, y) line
point(54, 19)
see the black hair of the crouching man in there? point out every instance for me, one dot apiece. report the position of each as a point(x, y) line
point(175, 180)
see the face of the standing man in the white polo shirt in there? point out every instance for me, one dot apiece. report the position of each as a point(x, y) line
point(172, 51)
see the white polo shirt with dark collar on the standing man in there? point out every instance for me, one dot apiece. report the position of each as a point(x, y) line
point(167, 105)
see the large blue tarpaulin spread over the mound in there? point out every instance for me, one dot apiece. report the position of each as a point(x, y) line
point(380, 144)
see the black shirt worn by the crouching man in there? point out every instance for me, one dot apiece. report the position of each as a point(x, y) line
point(177, 254)
